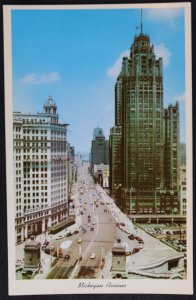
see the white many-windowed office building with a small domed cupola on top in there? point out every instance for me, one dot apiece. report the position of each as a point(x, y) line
point(40, 171)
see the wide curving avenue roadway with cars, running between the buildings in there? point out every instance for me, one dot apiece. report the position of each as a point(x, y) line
point(98, 232)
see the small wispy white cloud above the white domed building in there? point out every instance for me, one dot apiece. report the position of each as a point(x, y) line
point(35, 78)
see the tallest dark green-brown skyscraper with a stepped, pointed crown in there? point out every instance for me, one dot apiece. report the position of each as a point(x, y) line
point(148, 133)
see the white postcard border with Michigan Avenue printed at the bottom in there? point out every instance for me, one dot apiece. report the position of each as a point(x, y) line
point(144, 286)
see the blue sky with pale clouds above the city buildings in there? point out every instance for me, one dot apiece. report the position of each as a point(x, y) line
point(75, 56)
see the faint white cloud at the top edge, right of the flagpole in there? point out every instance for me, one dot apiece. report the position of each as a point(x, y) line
point(163, 14)
